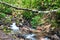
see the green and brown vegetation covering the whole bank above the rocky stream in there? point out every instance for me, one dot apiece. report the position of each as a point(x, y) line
point(32, 11)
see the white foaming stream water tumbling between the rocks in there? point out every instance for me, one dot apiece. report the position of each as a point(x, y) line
point(31, 36)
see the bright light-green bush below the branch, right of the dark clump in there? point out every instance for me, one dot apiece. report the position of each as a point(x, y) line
point(36, 20)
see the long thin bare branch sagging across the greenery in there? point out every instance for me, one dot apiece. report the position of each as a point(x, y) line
point(26, 9)
